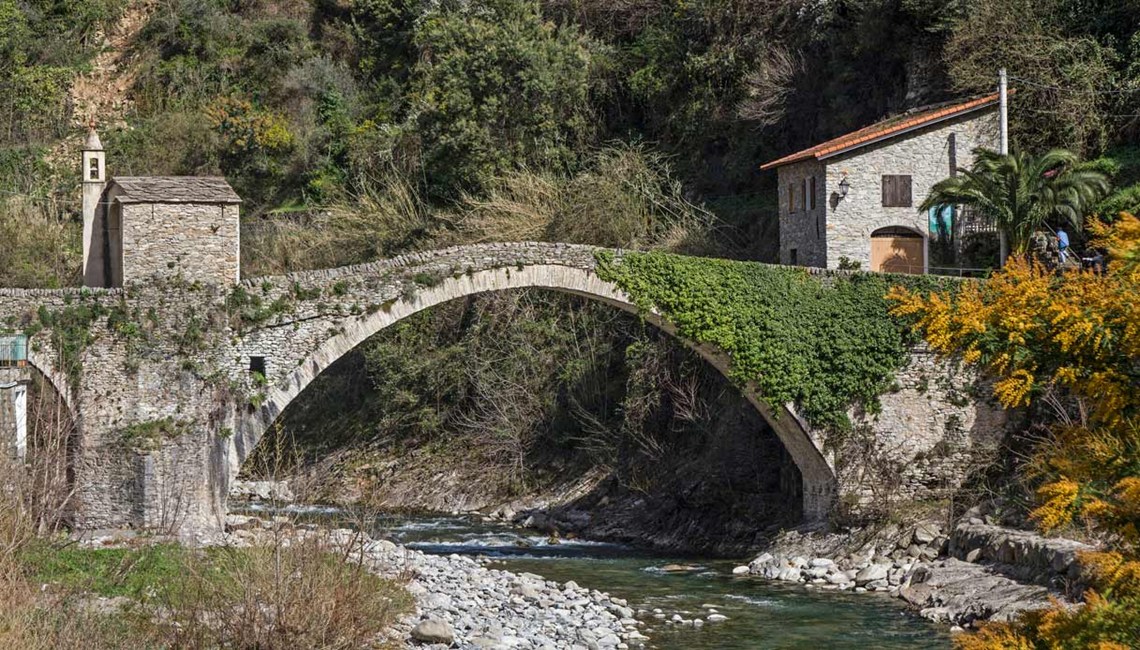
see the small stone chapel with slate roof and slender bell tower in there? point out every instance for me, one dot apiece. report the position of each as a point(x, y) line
point(143, 227)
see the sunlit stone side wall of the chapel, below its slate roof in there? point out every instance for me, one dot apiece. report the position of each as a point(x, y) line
point(193, 241)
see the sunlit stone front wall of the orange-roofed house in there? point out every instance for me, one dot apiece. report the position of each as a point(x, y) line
point(924, 155)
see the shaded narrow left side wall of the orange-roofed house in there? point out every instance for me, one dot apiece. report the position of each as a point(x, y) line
point(803, 230)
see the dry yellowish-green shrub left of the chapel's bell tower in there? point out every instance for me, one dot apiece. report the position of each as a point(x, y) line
point(42, 245)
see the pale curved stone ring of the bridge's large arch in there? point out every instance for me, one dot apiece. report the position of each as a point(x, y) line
point(819, 478)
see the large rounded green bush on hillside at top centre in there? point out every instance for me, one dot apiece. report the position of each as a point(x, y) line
point(498, 88)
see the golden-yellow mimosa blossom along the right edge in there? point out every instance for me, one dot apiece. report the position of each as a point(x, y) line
point(1077, 337)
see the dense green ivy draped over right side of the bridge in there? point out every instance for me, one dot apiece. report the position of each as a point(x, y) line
point(826, 343)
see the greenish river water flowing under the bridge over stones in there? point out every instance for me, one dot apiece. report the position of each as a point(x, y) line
point(762, 615)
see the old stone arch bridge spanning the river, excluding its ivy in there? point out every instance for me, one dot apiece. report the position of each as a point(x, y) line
point(172, 384)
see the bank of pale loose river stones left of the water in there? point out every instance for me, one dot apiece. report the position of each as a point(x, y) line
point(462, 603)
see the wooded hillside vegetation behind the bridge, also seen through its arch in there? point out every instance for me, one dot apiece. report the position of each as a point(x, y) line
point(357, 129)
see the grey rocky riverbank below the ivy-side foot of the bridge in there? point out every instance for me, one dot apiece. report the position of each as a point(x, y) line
point(975, 573)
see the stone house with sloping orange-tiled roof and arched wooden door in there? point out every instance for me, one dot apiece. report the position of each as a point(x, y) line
point(854, 199)
